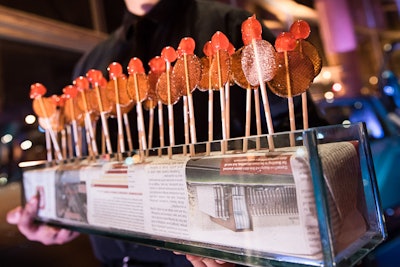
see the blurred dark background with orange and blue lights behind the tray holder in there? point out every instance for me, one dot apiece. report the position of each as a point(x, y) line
point(358, 40)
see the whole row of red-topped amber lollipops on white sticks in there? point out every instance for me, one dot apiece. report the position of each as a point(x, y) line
point(288, 68)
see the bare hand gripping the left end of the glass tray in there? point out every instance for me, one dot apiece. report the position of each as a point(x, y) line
point(24, 218)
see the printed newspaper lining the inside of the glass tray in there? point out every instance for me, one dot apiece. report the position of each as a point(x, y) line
point(258, 201)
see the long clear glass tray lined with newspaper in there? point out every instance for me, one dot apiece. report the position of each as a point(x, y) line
point(304, 198)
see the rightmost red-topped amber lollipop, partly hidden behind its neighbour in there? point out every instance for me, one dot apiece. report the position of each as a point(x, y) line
point(301, 30)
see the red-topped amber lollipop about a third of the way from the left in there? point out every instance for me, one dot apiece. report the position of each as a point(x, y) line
point(138, 86)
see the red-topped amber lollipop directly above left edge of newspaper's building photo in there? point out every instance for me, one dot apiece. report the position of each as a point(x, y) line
point(187, 73)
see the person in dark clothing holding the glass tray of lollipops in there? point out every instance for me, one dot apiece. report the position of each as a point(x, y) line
point(148, 27)
